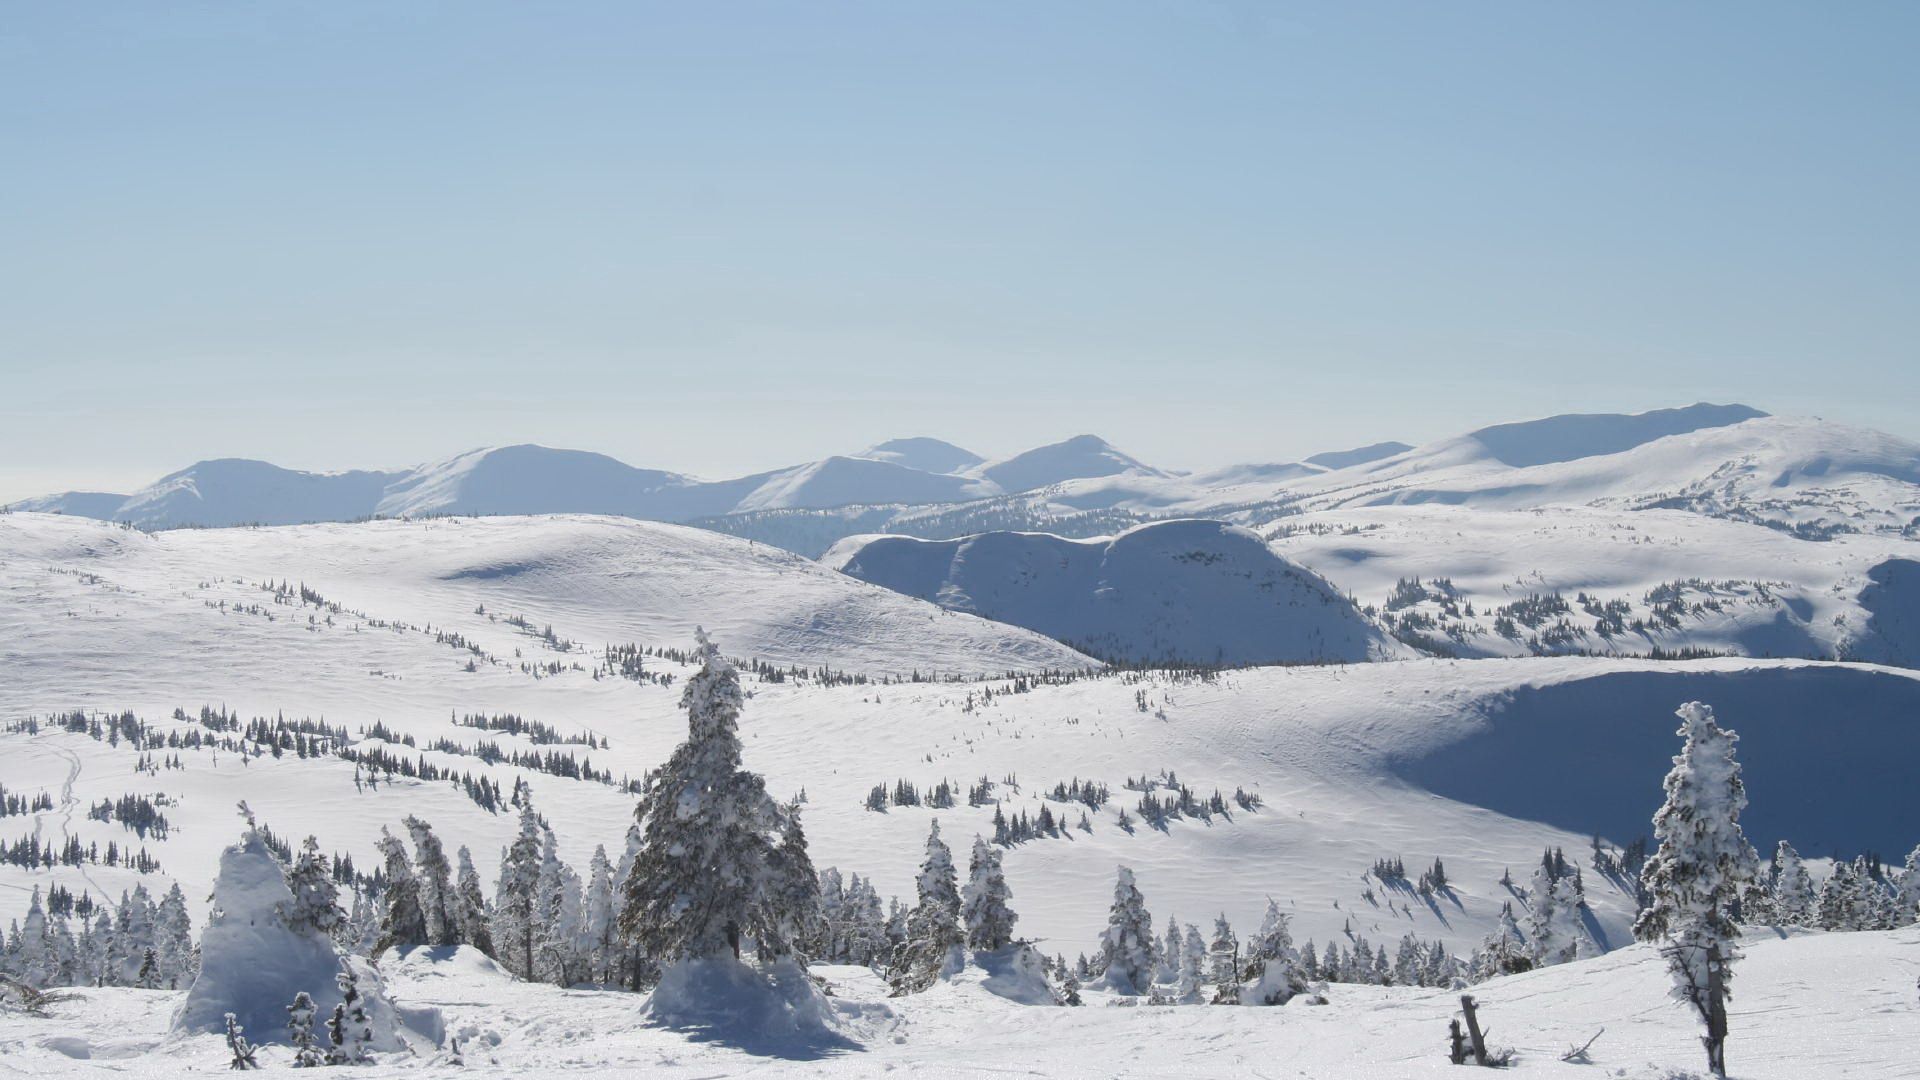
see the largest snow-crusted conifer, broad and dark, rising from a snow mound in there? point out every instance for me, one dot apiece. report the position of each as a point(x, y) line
point(704, 879)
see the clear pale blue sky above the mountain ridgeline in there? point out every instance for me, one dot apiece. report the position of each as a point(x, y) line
point(723, 237)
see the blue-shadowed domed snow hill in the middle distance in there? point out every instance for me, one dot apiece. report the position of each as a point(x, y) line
point(1168, 593)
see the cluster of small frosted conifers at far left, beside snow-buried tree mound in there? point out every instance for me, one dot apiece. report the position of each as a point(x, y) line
point(80, 943)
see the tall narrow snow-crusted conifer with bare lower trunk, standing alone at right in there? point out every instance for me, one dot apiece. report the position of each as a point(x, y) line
point(1696, 875)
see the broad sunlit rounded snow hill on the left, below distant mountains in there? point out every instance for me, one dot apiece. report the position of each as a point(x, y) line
point(594, 581)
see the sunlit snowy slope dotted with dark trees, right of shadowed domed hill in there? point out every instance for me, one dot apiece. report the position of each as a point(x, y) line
point(1602, 581)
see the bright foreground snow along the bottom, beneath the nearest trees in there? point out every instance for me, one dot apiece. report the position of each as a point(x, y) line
point(1808, 1006)
